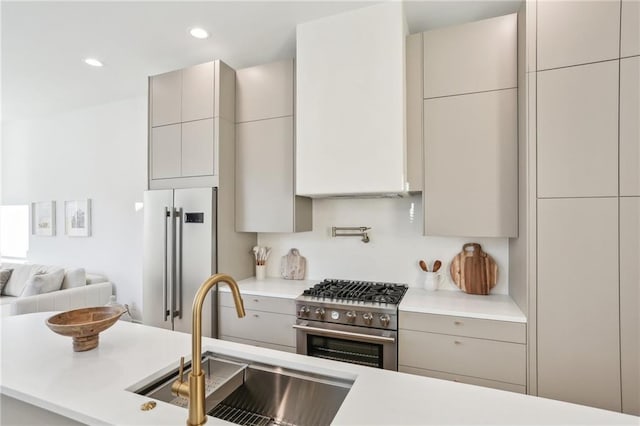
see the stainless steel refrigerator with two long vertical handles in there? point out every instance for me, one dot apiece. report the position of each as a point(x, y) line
point(179, 255)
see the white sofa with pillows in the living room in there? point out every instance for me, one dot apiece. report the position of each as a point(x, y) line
point(40, 288)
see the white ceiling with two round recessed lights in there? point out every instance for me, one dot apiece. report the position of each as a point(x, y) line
point(43, 44)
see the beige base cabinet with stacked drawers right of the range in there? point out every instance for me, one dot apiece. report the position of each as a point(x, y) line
point(469, 350)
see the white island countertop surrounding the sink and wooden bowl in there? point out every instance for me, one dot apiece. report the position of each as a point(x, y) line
point(40, 368)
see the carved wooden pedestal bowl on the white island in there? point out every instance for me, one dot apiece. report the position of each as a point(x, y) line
point(84, 325)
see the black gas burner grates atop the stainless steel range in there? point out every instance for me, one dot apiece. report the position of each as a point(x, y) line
point(359, 291)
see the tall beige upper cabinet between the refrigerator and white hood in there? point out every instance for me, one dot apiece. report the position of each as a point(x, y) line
point(265, 170)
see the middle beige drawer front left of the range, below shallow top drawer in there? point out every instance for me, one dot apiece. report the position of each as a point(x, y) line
point(257, 325)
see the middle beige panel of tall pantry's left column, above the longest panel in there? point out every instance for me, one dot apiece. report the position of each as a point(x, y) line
point(578, 131)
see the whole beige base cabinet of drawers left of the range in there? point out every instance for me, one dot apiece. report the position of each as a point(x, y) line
point(268, 322)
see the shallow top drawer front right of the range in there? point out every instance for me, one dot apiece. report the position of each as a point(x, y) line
point(462, 326)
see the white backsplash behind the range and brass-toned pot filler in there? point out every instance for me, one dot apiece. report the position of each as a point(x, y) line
point(392, 255)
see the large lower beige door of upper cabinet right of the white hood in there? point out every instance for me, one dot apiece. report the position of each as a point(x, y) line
point(471, 145)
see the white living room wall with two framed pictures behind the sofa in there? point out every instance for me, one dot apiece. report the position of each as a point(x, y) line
point(97, 153)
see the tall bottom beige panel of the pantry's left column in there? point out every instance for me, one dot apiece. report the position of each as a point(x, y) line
point(578, 307)
